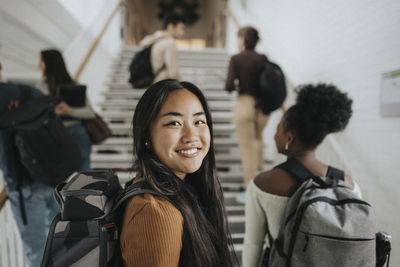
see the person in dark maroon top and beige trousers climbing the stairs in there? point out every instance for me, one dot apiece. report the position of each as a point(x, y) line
point(249, 120)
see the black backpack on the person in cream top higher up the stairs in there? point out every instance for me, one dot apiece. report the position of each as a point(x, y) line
point(141, 71)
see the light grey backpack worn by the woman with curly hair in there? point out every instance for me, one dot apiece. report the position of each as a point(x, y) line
point(325, 224)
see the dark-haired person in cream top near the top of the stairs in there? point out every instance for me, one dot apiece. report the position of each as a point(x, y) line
point(164, 56)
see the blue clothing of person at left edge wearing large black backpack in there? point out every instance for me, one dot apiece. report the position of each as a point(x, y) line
point(40, 205)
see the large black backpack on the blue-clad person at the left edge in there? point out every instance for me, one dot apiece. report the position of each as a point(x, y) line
point(43, 146)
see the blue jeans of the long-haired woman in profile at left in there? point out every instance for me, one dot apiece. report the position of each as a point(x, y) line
point(80, 135)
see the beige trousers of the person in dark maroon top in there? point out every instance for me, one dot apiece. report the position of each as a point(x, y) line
point(249, 123)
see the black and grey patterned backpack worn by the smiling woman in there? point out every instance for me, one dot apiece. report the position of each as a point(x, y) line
point(86, 232)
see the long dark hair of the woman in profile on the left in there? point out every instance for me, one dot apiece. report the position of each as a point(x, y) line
point(56, 72)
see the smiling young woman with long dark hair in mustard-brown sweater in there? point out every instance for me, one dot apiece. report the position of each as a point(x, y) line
point(174, 151)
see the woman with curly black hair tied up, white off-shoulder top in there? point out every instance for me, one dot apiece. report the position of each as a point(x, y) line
point(319, 110)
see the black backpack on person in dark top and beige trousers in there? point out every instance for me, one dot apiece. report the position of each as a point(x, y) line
point(271, 91)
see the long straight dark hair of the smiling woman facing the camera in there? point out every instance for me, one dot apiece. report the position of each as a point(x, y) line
point(207, 239)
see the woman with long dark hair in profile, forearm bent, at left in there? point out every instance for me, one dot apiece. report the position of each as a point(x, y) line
point(55, 75)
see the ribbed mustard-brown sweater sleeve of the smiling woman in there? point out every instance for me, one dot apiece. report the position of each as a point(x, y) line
point(152, 232)
